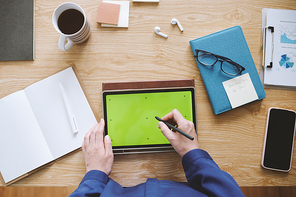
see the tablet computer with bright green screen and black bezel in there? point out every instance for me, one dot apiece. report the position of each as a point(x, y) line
point(130, 115)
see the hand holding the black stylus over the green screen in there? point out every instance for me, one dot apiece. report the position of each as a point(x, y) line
point(180, 143)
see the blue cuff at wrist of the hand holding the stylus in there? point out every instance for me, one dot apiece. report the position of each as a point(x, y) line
point(194, 155)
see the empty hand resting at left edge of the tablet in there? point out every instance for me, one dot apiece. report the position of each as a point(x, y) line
point(97, 150)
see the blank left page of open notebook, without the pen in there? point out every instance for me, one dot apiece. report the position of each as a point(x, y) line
point(22, 144)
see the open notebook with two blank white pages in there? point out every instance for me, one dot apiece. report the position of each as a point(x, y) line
point(35, 128)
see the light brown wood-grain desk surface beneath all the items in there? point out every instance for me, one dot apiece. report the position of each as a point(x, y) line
point(234, 139)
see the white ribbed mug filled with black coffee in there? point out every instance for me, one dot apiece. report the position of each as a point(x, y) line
point(70, 36)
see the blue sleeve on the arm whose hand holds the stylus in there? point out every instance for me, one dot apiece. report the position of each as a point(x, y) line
point(204, 174)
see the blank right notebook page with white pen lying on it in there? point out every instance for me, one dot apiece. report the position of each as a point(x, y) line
point(47, 103)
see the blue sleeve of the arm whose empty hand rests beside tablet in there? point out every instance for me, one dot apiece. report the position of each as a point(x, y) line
point(92, 185)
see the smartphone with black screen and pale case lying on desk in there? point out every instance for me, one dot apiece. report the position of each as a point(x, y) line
point(279, 139)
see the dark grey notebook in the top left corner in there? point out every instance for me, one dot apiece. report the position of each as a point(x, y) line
point(16, 30)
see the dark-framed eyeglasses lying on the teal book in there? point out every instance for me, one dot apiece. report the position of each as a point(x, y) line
point(227, 65)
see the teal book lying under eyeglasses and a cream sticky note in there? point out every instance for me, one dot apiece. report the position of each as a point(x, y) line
point(230, 43)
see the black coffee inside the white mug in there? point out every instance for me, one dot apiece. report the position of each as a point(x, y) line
point(70, 21)
